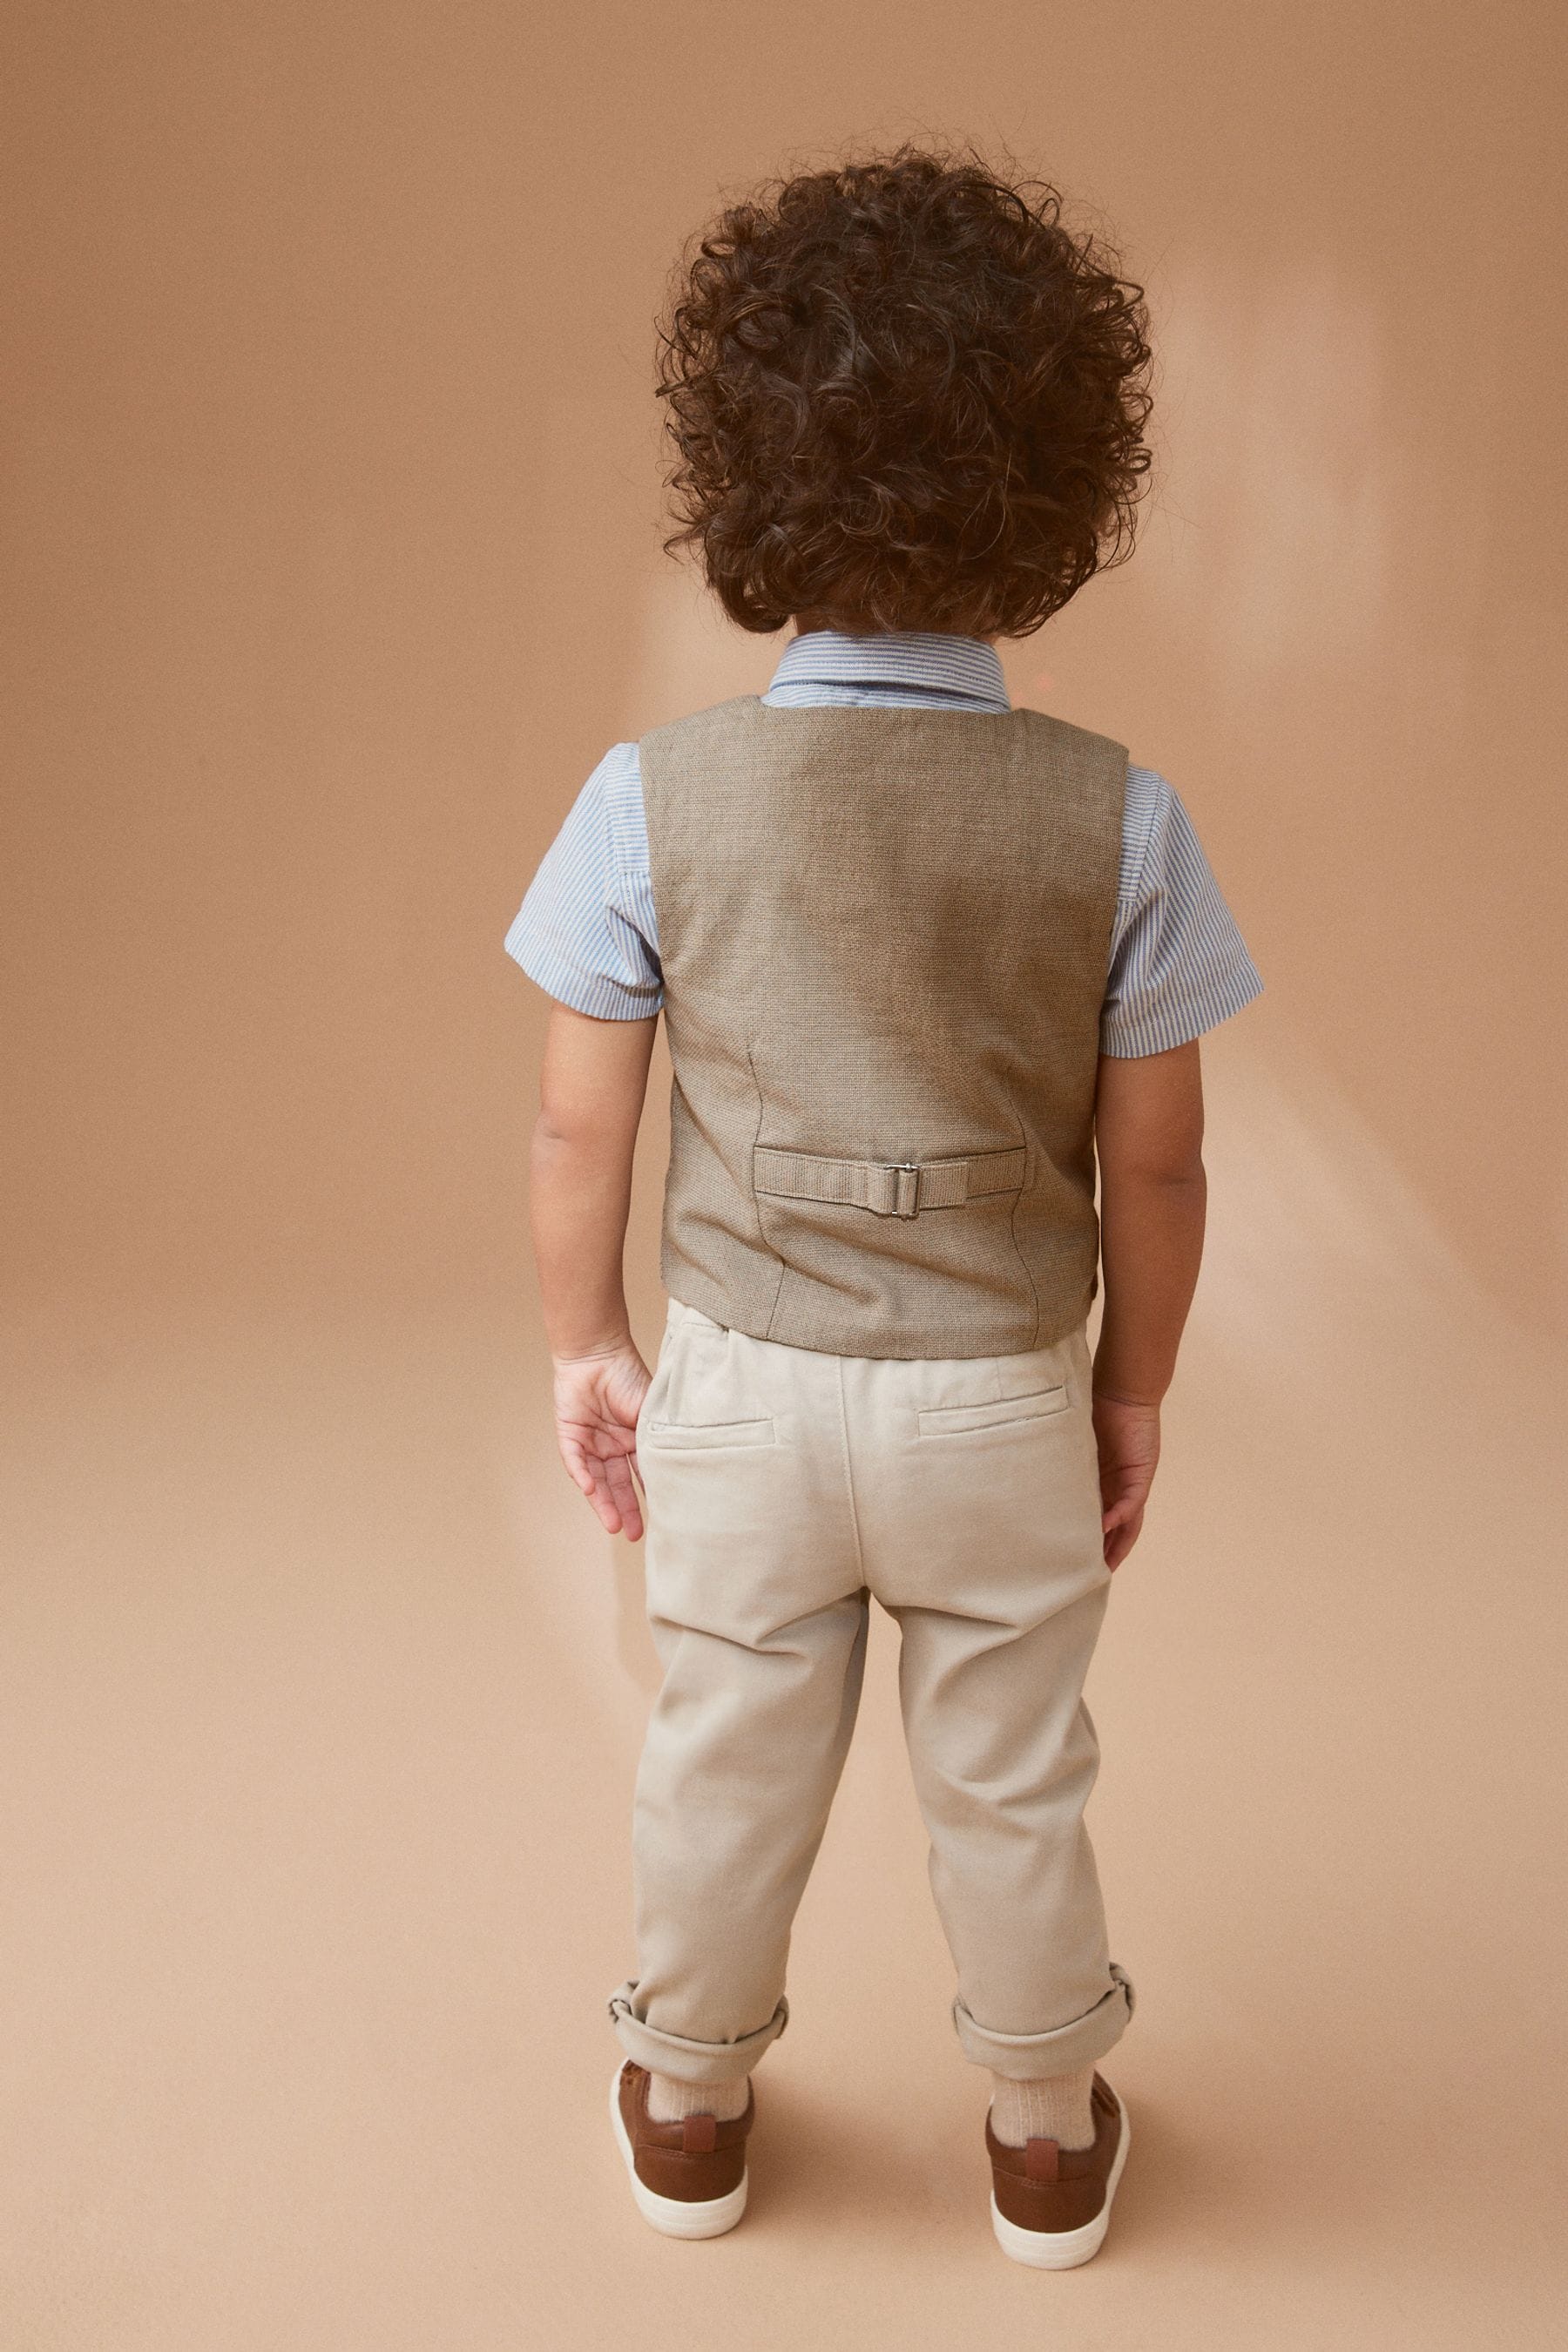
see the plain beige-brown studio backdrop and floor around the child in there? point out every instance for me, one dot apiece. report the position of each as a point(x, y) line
point(333, 568)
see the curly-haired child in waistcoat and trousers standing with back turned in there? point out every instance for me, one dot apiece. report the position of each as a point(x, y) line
point(930, 965)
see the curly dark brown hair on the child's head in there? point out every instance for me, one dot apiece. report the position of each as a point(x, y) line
point(904, 396)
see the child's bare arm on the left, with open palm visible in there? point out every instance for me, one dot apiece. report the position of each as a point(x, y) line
point(594, 1085)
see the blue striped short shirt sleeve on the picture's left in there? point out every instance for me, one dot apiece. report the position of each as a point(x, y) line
point(587, 923)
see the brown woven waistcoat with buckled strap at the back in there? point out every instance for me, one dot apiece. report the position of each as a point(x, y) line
point(885, 942)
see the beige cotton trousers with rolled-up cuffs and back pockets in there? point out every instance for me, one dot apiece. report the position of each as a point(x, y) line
point(784, 1492)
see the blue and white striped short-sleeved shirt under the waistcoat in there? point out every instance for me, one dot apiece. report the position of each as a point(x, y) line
point(1179, 965)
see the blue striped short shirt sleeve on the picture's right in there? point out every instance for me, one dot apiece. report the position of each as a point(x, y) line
point(1179, 963)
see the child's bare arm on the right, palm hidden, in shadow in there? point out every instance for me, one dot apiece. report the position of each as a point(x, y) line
point(1153, 1194)
